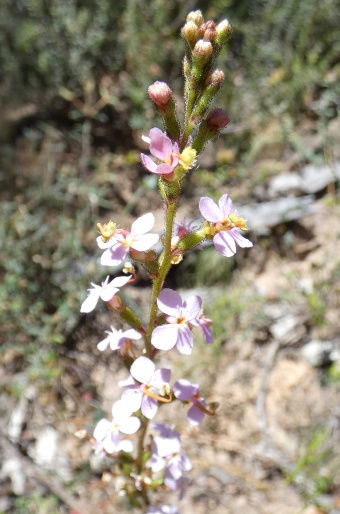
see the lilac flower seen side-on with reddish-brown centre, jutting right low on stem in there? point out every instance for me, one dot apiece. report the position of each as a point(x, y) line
point(189, 392)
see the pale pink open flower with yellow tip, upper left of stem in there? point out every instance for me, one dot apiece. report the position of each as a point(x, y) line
point(118, 246)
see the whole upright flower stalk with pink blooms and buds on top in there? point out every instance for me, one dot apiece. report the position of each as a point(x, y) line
point(173, 321)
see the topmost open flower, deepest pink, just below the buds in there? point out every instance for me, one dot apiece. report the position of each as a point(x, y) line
point(164, 150)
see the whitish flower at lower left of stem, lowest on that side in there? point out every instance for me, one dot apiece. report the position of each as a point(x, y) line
point(107, 434)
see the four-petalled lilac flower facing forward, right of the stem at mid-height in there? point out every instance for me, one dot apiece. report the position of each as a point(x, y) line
point(179, 316)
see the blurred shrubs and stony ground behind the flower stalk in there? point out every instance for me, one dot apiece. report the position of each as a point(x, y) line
point(73, 80)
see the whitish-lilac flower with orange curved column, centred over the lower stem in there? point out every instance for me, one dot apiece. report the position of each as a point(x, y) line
point(144, 385)
